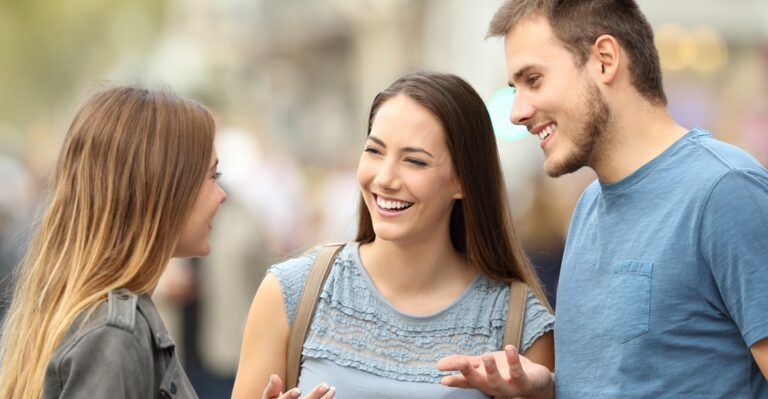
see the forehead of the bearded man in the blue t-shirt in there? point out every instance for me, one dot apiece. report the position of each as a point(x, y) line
point(531, 42)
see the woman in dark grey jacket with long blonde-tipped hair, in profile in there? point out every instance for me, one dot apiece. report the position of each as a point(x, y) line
point(135, 184)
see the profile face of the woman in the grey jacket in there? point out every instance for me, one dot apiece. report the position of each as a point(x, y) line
point(195, 235)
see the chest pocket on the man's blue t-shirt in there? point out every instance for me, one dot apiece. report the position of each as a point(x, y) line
point(630, 299)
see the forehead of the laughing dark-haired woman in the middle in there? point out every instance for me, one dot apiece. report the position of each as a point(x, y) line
point(402, 118)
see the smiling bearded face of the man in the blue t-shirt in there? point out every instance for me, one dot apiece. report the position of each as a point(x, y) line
point(555, 98)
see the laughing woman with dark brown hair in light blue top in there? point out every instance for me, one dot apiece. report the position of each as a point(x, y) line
point(428, 273)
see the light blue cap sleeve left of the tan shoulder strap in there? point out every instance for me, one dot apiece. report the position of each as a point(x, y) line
point(292, 275)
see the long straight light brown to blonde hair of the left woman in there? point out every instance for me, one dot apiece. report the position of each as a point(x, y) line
point(127, 176)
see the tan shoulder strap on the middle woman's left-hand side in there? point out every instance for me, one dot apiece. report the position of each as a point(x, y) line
point(305, 309)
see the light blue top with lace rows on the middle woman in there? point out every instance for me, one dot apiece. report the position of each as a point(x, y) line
point(360, 344)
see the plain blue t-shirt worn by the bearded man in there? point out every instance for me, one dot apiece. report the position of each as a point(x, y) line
point(664, 281)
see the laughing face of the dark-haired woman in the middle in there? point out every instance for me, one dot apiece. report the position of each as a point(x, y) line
point(406, 174)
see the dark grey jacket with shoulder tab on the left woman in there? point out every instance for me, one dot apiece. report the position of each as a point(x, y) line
point(123, 350)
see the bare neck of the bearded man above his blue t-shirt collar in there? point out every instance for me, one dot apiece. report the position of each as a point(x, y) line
point(638, 133)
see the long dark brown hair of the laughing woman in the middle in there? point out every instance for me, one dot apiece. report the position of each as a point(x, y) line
point(481, 224)
